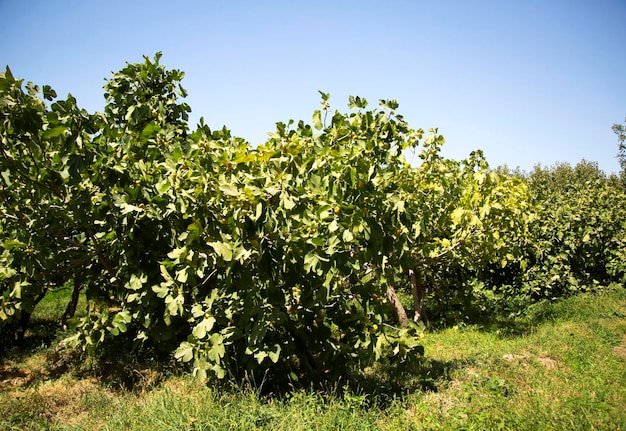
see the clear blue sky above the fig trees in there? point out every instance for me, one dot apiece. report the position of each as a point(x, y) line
point(528, 81)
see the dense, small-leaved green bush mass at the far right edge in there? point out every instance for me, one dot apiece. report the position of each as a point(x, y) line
point(576, 241)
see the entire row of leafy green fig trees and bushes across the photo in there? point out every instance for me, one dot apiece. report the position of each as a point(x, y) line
point(284, 258)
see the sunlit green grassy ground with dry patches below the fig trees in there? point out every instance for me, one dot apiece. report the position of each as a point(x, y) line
point(561, 367)
